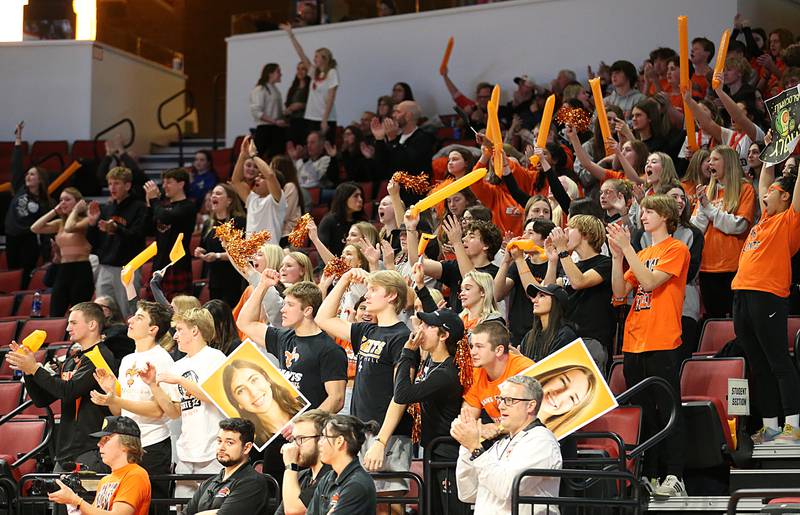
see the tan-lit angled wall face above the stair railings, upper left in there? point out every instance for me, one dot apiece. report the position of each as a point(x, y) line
point(124, 85)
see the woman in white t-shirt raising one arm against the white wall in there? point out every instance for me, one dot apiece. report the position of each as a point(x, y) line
point(320, 112)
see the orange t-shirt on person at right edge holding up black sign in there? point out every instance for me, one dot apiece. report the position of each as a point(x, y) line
point(765, 263)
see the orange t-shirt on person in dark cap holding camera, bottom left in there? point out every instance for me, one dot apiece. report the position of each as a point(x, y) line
point(129, 484)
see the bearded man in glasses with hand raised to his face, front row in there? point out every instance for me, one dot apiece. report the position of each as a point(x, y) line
point(303, 453)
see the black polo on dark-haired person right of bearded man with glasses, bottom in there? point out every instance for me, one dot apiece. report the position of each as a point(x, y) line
point(351, 492)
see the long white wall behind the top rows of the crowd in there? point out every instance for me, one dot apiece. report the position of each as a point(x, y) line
point(493, 42)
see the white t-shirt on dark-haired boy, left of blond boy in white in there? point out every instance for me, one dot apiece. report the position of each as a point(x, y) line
point(154, 430)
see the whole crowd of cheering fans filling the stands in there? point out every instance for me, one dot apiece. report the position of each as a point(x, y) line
point(642, 239)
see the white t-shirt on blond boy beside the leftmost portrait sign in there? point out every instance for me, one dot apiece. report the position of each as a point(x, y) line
point(199, 420)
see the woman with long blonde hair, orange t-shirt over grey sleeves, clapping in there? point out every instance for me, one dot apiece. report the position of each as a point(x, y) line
point(725, 211)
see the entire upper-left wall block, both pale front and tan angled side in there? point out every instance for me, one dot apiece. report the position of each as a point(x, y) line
point(68, 90)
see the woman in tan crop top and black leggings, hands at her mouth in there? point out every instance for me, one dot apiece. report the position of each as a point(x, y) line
point(74, 279)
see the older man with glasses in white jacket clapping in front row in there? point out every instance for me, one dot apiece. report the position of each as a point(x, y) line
point(485, 476)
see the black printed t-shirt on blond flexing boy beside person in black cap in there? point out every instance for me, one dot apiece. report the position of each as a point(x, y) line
point(378, 353)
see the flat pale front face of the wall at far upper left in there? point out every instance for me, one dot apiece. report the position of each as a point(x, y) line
point(47, 84)
